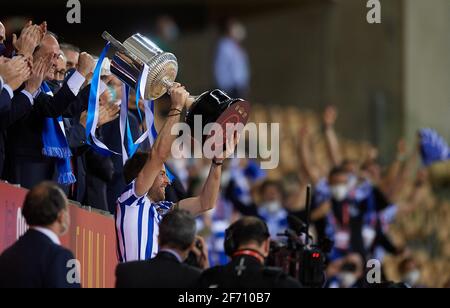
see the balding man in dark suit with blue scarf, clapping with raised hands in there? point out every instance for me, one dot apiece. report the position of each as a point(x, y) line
point(37, 148)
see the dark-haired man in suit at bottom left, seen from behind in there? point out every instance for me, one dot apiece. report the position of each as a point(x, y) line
point(37, 260)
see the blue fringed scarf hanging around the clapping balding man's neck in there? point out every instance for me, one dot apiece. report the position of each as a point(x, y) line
point(56, 145)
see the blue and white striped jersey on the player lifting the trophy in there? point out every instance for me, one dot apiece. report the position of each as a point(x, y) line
point(137, 225)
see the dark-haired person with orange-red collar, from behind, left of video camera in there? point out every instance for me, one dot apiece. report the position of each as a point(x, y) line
point(247, 242)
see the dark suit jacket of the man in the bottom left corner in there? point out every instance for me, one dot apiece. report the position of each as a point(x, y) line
point(34, 261)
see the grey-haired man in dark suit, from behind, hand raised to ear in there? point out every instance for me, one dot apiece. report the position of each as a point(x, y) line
point(167, 270)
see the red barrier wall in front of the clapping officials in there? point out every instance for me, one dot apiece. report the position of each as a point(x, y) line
point(91, 237)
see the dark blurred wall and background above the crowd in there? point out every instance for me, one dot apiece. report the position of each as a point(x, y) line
point(387, 79)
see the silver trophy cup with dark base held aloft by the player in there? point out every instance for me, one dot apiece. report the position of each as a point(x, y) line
point(137, 51)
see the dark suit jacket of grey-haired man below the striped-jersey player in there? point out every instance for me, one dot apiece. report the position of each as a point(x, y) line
point(164, 271)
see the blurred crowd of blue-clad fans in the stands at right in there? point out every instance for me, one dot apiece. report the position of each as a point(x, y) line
point(392, 215)
